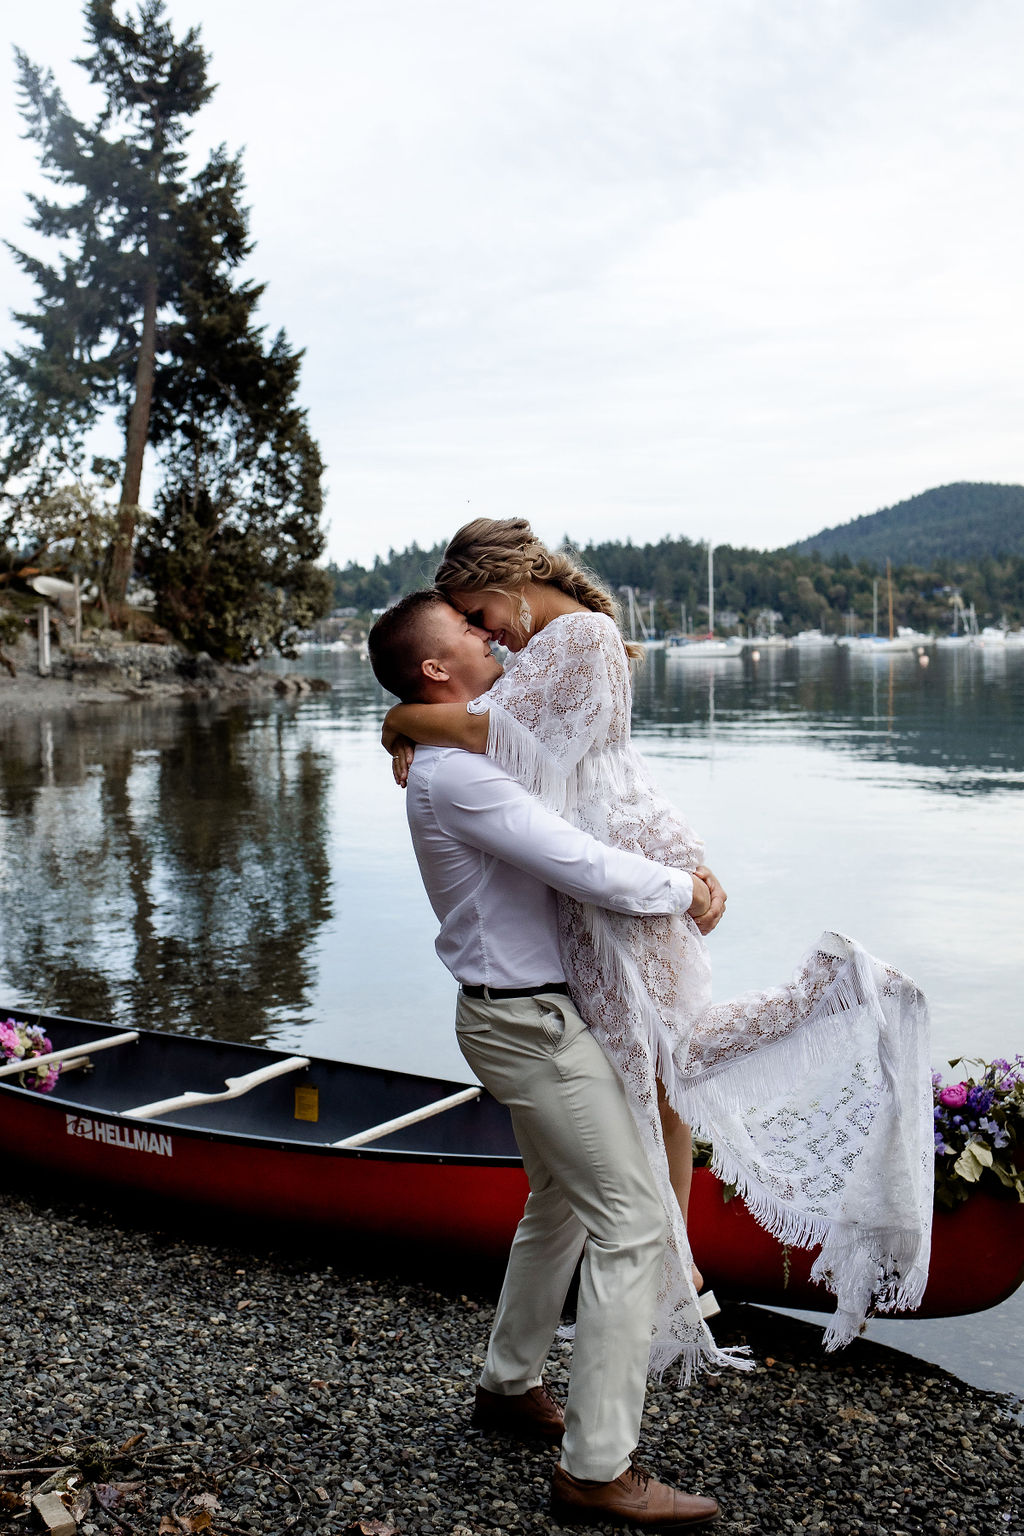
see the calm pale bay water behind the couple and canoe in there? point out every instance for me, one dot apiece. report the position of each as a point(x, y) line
point(248, 873)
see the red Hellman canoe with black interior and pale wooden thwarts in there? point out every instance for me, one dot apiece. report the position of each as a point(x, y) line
point(259, 1136)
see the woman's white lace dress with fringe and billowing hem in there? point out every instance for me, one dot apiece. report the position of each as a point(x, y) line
point(816, 1096)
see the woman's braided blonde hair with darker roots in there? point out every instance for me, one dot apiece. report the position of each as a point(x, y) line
point(503, 554)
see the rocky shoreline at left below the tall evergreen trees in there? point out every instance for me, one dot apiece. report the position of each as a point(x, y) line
point(110, 670)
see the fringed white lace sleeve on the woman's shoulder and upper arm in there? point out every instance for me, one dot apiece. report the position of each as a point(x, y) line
point(566, 695)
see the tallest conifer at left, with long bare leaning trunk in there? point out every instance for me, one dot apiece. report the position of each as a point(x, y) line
point(96, 328)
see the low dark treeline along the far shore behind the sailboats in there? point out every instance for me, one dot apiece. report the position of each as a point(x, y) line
point(804, 591)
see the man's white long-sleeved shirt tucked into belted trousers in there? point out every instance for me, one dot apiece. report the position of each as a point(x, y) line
point(492, 859)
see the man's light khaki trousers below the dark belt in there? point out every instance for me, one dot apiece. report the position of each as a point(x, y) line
point(590, 1191)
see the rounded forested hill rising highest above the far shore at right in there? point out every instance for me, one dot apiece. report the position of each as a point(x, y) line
point(963, 523)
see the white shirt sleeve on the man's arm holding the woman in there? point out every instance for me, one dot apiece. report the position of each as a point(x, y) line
point(478, 804)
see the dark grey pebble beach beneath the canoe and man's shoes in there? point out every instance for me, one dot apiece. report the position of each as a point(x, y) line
point(162, 1383)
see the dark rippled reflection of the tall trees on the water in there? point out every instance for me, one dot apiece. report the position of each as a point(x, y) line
point(164, 869)
